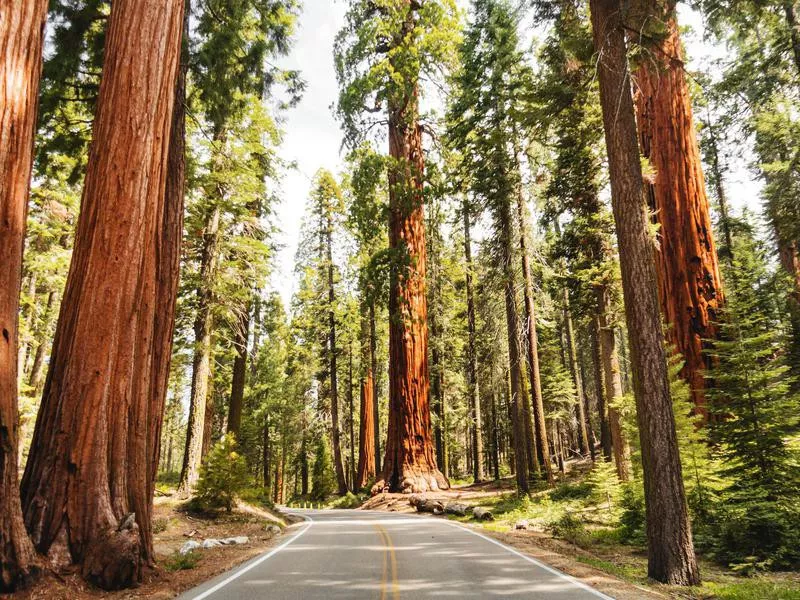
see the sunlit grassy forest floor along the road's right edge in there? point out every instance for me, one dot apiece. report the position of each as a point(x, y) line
point(564, 527)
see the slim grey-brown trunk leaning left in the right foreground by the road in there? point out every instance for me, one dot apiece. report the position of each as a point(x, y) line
point(671, 556)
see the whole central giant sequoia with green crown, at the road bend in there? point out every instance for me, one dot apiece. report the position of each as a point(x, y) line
point(380, 55)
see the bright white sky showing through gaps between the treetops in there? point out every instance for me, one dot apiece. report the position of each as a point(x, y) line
point(313, 137)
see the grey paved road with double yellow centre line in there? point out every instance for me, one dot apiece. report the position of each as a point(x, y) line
point(346, 554)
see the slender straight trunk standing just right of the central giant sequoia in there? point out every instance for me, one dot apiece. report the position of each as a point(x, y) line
point(476, 425)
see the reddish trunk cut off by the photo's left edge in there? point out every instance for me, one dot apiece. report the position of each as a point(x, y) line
point(21, 41)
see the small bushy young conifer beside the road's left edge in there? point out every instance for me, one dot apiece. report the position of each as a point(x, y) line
point(222, 476)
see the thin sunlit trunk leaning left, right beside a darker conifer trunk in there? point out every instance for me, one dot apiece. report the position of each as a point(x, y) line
point(532, 354)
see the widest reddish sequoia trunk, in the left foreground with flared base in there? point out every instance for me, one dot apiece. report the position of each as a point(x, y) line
point(87, 488)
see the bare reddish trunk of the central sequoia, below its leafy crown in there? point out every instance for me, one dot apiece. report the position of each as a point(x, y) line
point(410, 461)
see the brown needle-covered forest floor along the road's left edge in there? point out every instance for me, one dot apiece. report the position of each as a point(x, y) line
point(173, 527)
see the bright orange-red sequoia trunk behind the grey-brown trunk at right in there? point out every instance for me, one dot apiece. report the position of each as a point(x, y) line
point(690, 288)
